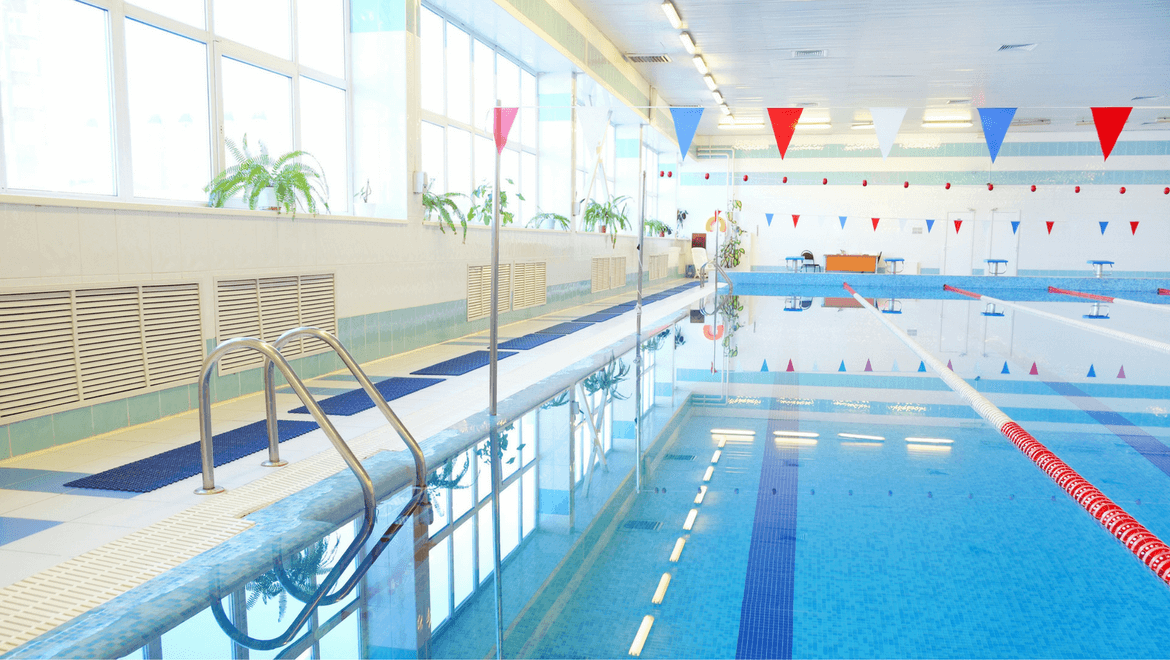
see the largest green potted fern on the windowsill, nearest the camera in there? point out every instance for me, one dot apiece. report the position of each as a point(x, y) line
point(294, 184)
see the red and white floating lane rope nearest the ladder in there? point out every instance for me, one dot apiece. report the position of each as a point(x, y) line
point(1150, 549)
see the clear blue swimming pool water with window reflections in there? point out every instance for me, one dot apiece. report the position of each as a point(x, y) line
point(810, 490)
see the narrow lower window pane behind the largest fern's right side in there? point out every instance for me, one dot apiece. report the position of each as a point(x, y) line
point(324, 136)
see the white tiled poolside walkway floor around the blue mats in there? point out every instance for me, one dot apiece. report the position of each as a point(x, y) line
point(88, 522)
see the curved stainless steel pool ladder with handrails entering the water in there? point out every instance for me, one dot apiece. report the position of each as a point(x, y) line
point(419, 503)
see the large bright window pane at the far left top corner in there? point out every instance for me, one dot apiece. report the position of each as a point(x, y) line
point(56, 95)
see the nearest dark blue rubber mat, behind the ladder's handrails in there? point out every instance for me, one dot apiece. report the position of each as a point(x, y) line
point(180, 464)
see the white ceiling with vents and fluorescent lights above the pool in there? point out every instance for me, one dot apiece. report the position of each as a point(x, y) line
point(921, 54)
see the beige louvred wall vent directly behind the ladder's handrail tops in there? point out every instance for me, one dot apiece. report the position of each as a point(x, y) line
point(267, 308)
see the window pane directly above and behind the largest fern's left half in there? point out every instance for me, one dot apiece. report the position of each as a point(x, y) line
point(257, 104)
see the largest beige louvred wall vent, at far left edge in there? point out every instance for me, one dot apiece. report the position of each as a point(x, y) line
point(81, 346)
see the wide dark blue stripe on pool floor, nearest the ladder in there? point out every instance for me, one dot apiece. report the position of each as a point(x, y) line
point(766, 617)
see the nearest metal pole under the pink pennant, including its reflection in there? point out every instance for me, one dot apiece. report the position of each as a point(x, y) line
point(493, 357)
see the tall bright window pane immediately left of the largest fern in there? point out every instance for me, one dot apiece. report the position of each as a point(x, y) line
point(170, 134)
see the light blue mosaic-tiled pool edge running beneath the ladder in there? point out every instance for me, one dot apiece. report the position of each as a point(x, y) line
point(118, 627)
